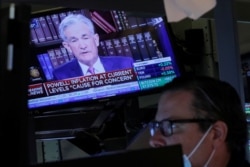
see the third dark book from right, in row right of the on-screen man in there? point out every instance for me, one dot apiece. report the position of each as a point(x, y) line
point(134, 48)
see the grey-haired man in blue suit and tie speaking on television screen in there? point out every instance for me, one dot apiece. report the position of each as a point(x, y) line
point(81, 40)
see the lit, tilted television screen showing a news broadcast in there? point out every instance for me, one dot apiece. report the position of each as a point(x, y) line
point(123, 56)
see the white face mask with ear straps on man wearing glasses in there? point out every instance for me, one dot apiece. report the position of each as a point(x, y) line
point(186, 161)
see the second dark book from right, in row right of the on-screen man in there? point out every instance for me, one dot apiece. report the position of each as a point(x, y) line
point(142, 46)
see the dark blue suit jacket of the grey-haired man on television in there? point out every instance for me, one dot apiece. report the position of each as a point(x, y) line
point(110, 63)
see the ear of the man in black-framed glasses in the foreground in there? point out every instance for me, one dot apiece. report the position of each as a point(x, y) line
point(220, 133)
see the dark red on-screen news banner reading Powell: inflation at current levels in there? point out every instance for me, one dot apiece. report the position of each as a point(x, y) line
point(81, 83)
